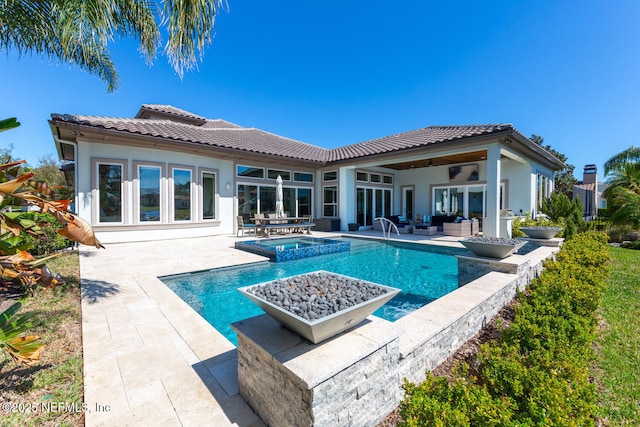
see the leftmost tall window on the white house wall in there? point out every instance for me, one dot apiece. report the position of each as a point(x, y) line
point(110, 192)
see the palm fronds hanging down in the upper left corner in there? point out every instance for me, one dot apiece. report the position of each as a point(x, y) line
point(77, 32)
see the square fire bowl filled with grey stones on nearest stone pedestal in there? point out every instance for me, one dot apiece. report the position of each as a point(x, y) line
point(321, 304)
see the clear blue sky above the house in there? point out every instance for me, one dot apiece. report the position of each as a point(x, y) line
point(336, 73)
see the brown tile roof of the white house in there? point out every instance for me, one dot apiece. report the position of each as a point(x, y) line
point(220, 133)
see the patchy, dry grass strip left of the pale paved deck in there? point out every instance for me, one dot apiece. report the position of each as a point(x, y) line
point(53, 388)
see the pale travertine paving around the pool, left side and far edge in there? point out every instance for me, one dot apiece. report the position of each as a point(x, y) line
point(149, 359)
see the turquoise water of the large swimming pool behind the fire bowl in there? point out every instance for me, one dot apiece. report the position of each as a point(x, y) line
point(423, 272)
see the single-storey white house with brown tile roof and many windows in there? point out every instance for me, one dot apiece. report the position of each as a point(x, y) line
point(169, 173)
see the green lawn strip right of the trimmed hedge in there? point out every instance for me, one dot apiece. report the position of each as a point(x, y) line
point(617, 369)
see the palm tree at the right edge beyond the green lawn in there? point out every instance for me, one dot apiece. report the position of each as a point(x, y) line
point(623, 193)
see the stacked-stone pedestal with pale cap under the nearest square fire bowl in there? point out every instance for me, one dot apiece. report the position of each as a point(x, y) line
point(348, 380)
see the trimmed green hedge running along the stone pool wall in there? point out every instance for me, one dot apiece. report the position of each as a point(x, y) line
point(536, 374)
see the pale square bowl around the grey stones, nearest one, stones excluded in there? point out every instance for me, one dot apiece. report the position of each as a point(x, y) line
point(330, 325)
